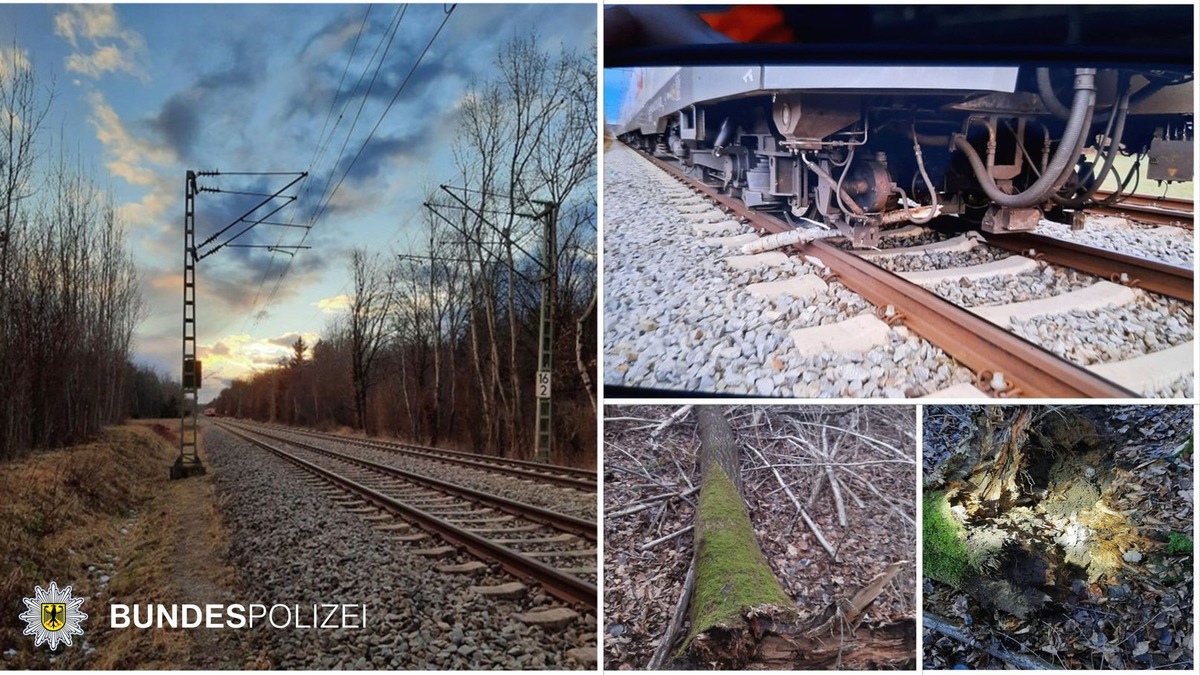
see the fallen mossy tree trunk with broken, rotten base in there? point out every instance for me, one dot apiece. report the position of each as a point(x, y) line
point(741, 616)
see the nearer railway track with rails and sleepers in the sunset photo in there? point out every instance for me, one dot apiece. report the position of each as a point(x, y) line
point(539, 546)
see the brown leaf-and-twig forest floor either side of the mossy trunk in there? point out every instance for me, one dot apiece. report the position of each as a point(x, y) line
point(651, 489)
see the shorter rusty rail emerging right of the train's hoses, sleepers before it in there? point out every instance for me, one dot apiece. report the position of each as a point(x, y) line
point(1150, 276)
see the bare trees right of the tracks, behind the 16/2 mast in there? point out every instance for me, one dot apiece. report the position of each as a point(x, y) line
point(440, 344)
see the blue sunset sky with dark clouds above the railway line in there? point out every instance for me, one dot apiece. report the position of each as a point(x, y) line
point(145, 93)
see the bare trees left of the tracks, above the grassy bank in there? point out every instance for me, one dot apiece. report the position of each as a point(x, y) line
point(70, 297)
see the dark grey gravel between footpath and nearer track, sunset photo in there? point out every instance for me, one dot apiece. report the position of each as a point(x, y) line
point(295, 546)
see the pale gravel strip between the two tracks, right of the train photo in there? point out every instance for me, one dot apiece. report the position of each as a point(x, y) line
point(1172, 246)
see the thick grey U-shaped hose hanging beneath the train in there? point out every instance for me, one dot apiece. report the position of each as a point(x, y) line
point(1064, 159)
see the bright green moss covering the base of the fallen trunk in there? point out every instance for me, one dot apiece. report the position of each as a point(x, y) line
point(733, 576)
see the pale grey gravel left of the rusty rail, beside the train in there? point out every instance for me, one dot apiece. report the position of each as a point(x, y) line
point(676, 318)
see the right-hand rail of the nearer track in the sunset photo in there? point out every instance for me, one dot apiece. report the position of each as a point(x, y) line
point(574, 525)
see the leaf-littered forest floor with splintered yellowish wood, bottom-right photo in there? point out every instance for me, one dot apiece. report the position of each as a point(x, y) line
point(1085, 563)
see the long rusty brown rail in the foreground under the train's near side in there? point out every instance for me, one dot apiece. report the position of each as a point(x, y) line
point(973, 341)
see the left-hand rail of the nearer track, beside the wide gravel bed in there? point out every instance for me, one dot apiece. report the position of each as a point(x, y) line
point(563, 587)
